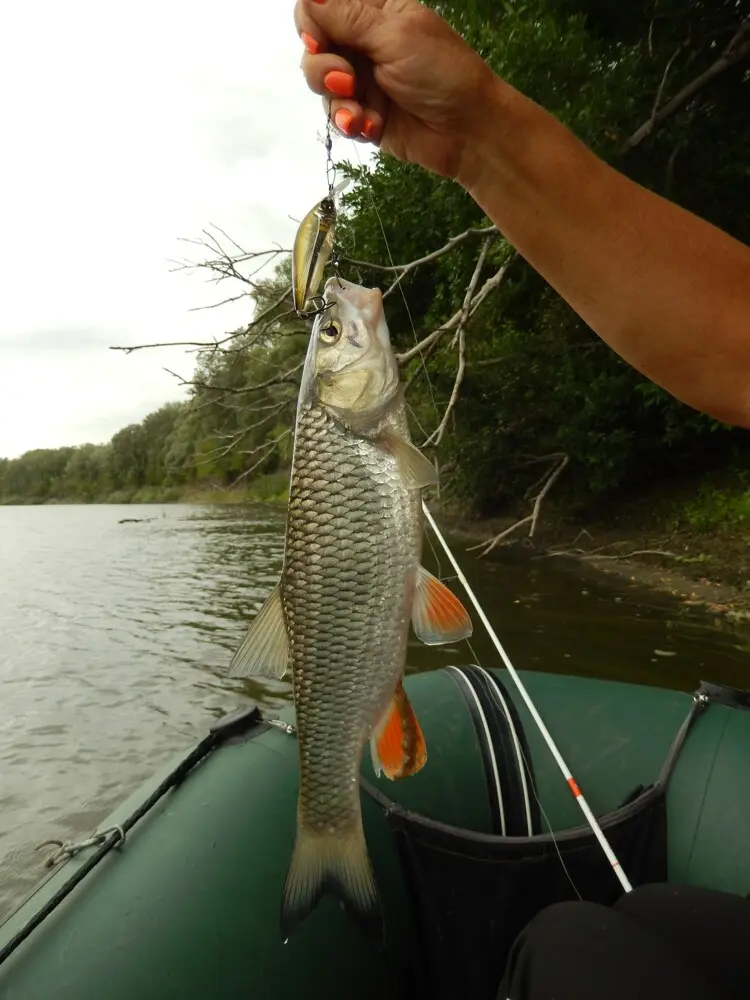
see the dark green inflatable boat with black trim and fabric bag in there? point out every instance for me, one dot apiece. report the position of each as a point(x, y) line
point(177, 895)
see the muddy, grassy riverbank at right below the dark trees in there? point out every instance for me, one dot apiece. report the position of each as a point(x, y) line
point(691, 540)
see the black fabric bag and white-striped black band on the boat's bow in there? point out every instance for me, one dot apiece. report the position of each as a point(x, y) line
point(473, 893)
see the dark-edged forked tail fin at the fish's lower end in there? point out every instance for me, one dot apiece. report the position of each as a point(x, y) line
point(336, 864)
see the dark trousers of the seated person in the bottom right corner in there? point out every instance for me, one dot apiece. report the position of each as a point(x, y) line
point(661, 941)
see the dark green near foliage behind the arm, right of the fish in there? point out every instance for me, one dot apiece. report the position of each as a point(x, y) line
point(538, 380)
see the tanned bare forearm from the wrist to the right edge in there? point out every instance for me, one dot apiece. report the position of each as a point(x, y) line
point(666, 290)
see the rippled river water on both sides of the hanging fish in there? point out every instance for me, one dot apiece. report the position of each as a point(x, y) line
point(115, 639)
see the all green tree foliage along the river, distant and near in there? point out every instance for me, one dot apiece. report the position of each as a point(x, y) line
point(537, 380)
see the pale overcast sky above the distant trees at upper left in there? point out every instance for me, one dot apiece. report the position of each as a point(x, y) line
point(123, 129)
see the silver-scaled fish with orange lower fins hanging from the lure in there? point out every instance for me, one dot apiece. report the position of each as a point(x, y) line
point(350, 585)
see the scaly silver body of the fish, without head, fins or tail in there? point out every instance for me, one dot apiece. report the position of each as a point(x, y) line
point(354, 536)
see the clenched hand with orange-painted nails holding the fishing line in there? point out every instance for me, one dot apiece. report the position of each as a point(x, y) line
point(397, 75)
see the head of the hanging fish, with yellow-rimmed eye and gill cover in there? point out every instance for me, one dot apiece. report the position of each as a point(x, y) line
point(350, 364)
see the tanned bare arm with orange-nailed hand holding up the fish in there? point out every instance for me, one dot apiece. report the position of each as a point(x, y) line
point(666, 290)
